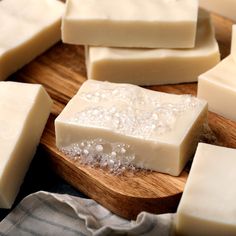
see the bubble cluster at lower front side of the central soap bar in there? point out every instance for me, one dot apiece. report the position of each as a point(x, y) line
point(116, 157)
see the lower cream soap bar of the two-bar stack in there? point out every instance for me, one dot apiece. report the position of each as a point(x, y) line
point(156, 66)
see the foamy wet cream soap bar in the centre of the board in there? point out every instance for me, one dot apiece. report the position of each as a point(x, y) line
point(159, 131)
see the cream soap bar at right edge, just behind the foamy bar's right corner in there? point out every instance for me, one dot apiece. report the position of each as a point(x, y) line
point(218, 87)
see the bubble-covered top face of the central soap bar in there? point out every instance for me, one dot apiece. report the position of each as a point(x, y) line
point(133, 111)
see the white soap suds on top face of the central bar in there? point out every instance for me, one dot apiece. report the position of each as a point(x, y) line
point(133, 119)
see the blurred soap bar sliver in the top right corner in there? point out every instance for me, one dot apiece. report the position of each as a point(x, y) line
point(226, 8)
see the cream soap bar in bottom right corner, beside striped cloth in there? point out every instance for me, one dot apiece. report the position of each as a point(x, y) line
point(207, 206)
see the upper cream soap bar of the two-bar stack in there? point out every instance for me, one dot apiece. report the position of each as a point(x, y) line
point(131, 23)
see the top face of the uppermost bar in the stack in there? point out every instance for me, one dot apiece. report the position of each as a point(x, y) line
point(126, 10)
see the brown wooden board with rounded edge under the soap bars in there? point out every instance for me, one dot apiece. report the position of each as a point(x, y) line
point(62, 70)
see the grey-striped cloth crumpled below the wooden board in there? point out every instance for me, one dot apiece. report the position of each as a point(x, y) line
point(44, 213)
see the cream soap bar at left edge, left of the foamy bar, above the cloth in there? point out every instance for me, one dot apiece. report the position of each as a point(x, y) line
point(24, 111)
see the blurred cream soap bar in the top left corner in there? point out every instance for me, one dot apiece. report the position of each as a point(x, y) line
point(28, 28)
